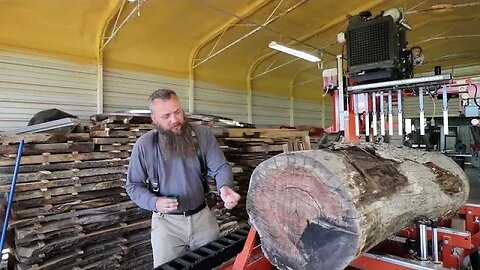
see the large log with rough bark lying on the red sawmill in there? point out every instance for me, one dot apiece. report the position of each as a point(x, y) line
point(321, 209)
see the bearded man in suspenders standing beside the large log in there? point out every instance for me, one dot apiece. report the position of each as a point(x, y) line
point(165, 177)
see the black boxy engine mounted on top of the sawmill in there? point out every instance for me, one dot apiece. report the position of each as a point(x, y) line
point(377, 47)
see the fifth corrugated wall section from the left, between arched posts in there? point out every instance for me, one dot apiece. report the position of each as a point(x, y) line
point(307, 113)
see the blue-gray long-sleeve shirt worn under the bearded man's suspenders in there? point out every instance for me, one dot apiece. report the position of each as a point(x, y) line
point(176, 176)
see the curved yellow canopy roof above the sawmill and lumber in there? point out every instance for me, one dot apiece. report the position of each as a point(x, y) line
point(226, 42)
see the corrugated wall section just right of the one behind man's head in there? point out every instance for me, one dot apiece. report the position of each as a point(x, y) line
point(210, 99)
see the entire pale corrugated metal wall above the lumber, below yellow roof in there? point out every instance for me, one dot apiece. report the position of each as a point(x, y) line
point(29, 84)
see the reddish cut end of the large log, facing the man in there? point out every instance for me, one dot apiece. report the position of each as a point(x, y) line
point(306, 213)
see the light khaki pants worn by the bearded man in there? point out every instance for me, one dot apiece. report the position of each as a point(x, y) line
point(174, 235)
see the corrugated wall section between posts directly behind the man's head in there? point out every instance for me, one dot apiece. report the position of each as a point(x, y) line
point(130, 90)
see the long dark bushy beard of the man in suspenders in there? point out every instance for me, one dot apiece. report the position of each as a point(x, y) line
point(176, 145)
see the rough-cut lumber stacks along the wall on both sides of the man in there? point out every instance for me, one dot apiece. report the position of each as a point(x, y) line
point(71, 210)
